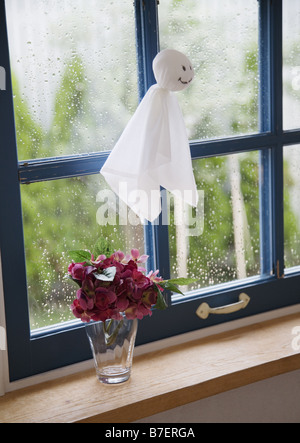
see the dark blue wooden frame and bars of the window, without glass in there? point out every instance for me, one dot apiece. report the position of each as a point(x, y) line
point(31, 354)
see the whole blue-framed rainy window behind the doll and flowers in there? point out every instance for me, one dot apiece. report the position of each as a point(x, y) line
point(69, 95)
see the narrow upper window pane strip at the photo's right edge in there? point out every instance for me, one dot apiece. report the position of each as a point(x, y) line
point(291, 64)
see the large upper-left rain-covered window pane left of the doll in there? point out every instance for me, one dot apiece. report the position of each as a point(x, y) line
point(74, 74)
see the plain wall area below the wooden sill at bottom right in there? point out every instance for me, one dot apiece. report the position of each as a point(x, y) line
point(276, 400)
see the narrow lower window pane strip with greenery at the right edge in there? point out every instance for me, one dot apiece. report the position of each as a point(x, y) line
point(292, 205)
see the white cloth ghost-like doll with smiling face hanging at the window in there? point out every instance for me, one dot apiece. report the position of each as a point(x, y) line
point(153, 151)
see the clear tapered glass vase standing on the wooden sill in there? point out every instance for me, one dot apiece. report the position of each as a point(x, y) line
point(112, 343)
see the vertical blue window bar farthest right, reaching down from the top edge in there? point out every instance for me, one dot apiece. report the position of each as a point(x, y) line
point(271, 164)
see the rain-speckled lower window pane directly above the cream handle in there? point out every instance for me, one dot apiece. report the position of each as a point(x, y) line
point(221, 242)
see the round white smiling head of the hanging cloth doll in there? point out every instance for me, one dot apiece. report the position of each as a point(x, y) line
point(173, 70)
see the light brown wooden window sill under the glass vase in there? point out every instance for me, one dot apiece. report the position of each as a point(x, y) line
point(164, 379)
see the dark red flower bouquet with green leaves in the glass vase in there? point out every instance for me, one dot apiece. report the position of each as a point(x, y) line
point(110, 287)
